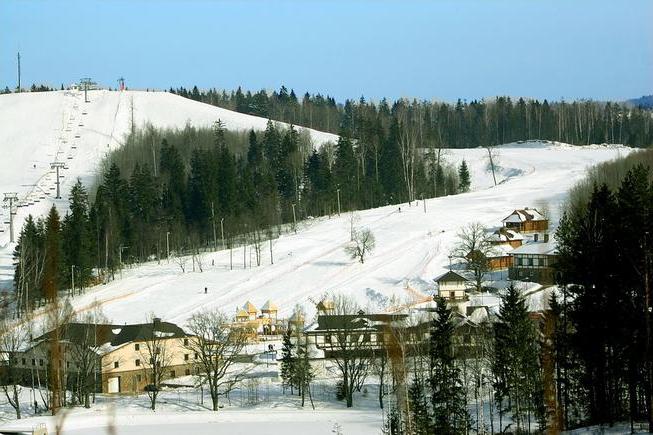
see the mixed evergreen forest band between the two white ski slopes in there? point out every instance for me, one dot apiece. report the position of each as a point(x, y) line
point(170, 192)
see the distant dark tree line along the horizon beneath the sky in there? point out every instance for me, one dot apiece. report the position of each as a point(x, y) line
point(444, 125)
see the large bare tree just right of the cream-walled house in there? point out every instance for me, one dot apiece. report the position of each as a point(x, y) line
point(216, 345)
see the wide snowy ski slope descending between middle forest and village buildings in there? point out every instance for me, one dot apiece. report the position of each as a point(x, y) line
point(412, 246)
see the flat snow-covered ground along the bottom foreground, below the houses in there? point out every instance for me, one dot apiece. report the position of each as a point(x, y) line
point(258, 405)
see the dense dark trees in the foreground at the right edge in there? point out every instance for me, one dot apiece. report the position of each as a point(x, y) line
point(603, 342)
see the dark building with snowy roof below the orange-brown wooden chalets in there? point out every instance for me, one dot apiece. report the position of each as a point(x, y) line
point(534, 262)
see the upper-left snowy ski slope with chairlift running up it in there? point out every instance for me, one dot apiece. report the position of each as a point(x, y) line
point(39, 128)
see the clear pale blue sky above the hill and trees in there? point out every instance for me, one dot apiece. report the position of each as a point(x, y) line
point(427, 49)
